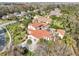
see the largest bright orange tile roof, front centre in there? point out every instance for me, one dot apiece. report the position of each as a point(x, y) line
point(40, 33)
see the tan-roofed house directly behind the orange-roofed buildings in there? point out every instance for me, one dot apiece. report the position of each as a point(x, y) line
point(41, 19)
